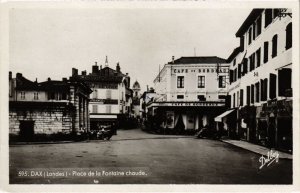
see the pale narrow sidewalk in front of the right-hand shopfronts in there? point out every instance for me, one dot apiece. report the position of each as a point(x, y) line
point(256, 148)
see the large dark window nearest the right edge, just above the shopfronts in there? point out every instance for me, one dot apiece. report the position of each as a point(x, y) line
point(284, 81)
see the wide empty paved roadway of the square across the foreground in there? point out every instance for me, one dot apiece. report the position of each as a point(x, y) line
point(159, 159)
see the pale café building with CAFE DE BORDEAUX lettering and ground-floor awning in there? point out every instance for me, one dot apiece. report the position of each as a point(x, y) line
point(190, 92)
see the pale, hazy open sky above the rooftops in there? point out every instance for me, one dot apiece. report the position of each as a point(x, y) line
point(50, 42)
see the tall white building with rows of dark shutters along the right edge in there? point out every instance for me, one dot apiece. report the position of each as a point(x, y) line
point(261, 78)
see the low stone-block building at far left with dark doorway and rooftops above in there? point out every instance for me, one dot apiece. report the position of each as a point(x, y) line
point(45, 108)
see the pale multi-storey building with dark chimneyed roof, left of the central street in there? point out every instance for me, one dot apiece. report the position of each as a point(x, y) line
point(110, 99)
